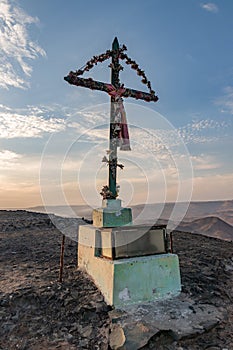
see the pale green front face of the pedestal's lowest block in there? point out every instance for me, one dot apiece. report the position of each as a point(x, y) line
point(144, 279)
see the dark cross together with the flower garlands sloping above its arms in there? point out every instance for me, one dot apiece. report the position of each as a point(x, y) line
point(117, 92)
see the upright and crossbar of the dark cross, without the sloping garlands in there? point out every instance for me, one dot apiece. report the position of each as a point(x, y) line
point(116, 91)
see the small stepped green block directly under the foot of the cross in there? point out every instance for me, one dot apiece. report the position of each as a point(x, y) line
point(112, 214)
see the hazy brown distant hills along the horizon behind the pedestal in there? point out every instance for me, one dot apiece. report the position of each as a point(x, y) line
point(211, 218)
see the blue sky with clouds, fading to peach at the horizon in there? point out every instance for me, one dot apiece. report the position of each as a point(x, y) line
point(53, 135)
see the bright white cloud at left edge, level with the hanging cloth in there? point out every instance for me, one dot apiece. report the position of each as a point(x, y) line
point(28, 122)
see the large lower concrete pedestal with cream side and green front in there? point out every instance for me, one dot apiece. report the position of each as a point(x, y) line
point(129, 280)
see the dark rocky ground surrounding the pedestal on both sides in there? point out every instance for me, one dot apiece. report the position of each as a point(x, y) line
point(38, 312)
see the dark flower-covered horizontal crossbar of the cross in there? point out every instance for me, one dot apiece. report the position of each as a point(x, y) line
point(73, 79)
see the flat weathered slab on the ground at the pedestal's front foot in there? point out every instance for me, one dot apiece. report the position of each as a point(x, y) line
point(180, 317)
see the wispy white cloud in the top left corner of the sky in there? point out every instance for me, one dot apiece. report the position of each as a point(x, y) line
point(16, 47)
